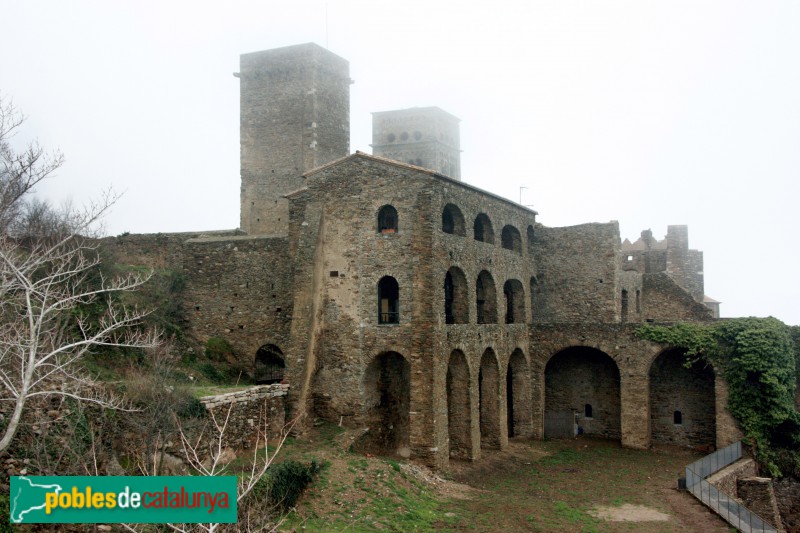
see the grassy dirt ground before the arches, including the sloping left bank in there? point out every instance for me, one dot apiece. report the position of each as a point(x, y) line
point(570, 485)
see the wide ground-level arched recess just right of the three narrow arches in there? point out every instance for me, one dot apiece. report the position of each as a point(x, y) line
point(577, 377)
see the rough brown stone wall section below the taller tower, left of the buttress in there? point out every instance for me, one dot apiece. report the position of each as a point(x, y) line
point(240, 289)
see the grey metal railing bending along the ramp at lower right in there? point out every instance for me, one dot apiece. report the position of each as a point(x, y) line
point(729, 509)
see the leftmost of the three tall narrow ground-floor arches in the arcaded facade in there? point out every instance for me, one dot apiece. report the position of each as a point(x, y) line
point(458, 406)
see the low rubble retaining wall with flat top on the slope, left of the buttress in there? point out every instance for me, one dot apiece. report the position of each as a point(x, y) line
point(249, 414)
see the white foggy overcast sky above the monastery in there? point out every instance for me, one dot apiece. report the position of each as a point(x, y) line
point(648, 113)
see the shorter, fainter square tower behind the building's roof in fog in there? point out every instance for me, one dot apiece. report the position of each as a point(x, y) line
point(423, 136)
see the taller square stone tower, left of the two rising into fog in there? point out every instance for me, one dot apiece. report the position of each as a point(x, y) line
point(295, 116)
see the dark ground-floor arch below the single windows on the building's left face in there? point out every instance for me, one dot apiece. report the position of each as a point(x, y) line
point(387, 401)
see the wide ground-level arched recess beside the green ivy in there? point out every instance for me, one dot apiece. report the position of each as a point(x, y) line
point(682, 401)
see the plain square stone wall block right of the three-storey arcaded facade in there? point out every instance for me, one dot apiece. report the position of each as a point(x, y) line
point(577, 273)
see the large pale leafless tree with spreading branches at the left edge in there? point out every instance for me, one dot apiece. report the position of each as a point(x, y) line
point(44, 285)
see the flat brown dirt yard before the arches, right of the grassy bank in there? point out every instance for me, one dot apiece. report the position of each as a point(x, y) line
point(582, 485)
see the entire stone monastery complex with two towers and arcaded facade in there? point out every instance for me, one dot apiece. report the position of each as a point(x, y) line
point(439, 317)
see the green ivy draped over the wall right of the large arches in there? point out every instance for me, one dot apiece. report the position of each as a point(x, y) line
point(758, 358)
